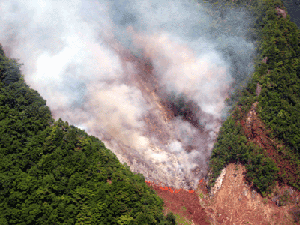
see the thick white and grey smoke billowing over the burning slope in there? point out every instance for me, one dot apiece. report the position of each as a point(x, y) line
point(148, 77)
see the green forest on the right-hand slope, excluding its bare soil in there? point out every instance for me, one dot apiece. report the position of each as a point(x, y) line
point(277, 74)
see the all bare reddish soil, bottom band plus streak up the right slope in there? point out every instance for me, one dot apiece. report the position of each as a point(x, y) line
point(234, 201)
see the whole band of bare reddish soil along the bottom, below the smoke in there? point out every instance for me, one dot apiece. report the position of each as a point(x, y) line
point(234, 203)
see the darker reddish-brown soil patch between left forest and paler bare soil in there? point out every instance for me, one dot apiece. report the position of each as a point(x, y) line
point(182, 203)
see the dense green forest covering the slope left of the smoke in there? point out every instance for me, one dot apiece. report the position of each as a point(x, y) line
point(54, 173)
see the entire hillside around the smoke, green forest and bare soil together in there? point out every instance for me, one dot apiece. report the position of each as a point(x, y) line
point(54, 173)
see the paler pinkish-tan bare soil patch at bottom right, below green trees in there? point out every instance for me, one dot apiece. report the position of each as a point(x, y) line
point(237, 203)
